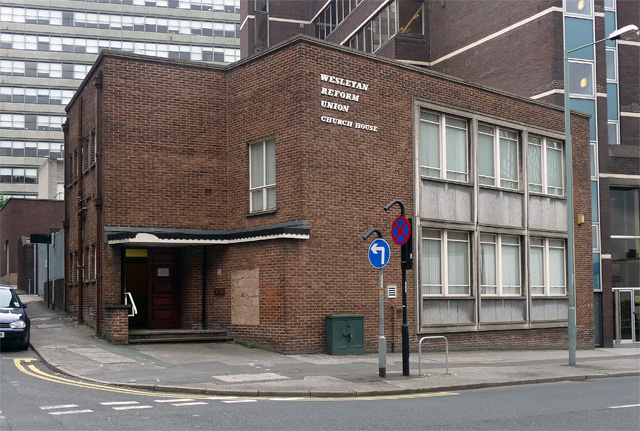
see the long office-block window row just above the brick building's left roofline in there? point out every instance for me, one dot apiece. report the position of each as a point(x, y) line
point(94, 46)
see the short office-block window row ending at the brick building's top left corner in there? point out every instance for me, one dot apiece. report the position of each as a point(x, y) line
point(41, 69)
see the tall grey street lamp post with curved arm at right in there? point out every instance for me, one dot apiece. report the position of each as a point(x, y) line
point(626, 32)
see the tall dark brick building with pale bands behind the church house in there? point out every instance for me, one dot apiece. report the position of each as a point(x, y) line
point(516, 46)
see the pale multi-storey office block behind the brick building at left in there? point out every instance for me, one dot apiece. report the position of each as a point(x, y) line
point(48, 46)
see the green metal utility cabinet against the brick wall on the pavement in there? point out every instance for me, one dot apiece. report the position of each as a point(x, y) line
point(345, 334)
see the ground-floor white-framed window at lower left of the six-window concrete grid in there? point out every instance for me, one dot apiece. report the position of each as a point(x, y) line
point(445, 265)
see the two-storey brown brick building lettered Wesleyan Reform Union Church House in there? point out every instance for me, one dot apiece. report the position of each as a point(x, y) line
point(236, 197)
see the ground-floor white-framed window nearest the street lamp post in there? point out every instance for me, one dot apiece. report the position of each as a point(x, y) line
point(547, 267)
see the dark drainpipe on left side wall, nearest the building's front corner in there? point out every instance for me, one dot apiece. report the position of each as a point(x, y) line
point(98, 202)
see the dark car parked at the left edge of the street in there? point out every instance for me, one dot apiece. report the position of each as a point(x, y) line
point(15, 326)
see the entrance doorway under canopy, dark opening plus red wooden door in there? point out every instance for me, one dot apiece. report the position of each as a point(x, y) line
point(151, 277)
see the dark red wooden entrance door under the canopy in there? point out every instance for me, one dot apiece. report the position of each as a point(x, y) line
point(164, 289)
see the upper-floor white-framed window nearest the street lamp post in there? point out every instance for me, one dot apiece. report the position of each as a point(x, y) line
point(546, 172)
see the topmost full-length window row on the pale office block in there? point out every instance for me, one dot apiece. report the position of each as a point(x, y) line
point(105, 21)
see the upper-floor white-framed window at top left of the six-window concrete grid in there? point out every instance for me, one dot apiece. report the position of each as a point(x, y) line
point(443, 146)
